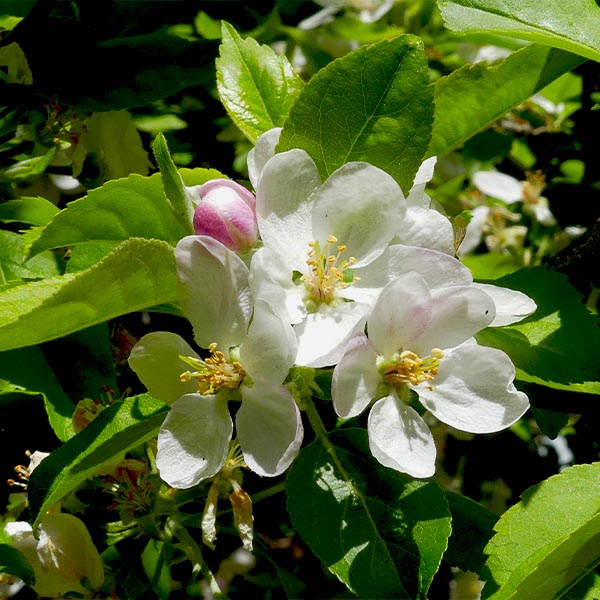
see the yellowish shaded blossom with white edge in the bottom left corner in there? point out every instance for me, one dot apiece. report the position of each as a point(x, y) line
point(63, 556)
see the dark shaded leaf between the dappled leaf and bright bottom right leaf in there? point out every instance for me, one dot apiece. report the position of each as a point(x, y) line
point(472, 527)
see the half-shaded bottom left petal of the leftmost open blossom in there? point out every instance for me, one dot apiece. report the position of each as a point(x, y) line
point(193, 440)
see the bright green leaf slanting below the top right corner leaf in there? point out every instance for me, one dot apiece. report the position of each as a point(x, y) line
point(473, 97)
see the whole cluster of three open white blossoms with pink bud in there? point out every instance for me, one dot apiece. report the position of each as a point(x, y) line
point(344, 273)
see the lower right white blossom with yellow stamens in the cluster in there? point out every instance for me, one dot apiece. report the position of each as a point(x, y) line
point(420, 339)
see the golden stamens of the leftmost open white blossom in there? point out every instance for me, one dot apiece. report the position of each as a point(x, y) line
point(214, 372)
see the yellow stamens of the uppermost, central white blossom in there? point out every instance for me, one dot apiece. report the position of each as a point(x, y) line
point(328, 271)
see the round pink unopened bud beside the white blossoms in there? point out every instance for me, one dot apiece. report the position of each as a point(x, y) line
point(227, 213)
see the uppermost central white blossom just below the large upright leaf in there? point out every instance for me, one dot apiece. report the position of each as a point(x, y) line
point(320, 240)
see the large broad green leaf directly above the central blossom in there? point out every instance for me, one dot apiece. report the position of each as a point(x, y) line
point(375, 105)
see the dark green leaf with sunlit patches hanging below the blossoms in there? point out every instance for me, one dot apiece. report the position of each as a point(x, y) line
point(382, 533)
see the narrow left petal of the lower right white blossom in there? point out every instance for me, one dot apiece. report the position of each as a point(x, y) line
point(355, 378)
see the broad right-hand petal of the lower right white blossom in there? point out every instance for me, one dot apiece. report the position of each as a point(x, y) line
point(474, 390)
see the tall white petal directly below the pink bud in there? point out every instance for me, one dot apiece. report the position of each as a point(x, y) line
point(214, 291)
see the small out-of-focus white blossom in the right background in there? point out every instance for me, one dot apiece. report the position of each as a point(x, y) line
point(510, 190)
